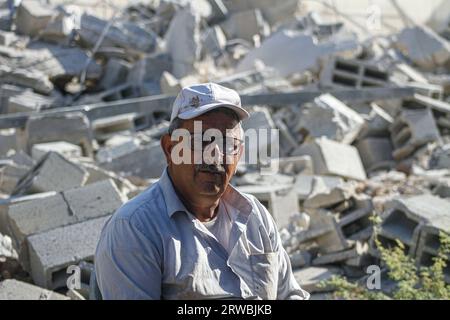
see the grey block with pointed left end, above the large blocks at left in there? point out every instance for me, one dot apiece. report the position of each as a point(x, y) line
point(52, 173)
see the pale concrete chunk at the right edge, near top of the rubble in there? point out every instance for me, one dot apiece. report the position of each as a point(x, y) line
point(423, 46)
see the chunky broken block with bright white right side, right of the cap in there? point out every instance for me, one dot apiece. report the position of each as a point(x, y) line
point(329, 117)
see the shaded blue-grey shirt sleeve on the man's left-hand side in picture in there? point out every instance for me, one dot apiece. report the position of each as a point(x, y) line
point(127, 264)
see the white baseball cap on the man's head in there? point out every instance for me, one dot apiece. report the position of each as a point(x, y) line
point(198, 99)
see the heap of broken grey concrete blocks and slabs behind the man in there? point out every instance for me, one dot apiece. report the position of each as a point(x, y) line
point(364, 129)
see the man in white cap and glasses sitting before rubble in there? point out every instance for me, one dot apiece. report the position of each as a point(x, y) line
point(192, 235)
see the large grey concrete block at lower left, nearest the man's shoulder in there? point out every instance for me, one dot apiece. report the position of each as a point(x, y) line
point(53, 251)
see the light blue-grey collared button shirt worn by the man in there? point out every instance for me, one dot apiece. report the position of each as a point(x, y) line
point(152, 248)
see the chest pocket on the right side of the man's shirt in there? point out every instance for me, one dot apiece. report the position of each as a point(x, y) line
point(265, 274)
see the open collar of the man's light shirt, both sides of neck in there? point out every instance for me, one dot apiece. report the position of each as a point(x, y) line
point(232, 197)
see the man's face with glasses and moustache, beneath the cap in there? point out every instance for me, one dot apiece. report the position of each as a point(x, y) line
point(209, 178)
